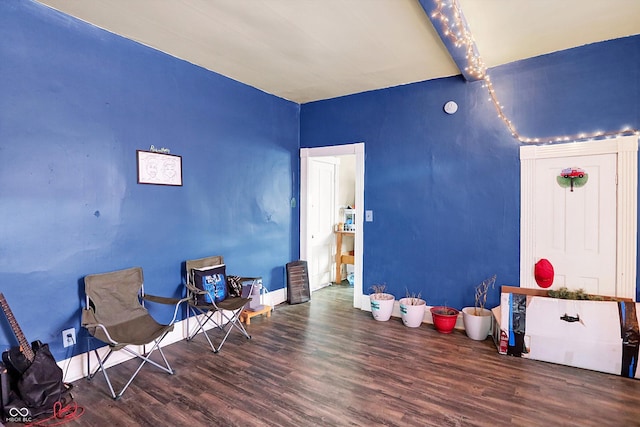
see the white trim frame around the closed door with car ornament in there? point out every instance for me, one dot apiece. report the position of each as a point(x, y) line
point(626, 149)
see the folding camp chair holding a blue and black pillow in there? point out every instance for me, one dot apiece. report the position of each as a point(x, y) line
point(224, 315)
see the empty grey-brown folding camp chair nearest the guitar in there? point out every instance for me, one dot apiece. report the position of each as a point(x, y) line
point(115, 314)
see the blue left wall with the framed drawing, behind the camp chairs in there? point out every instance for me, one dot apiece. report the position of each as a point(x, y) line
point(76, 103)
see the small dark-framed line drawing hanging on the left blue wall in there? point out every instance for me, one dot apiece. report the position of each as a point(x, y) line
point(159, 168)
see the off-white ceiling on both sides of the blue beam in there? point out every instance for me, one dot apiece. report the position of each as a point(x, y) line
point(306, 50)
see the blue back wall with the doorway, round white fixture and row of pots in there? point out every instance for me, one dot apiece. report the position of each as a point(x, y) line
point(445, 190)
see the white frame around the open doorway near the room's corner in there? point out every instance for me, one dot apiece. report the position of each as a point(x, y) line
point(356, 149)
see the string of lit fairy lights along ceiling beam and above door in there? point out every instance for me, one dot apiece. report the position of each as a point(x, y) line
point(456, 30)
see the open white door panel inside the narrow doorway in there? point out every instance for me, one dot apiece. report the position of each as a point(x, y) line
point(322, 178)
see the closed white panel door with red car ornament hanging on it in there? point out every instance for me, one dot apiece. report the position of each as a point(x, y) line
point(575, 229)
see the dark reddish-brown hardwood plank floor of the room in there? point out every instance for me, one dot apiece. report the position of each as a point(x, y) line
point(324, 363)
